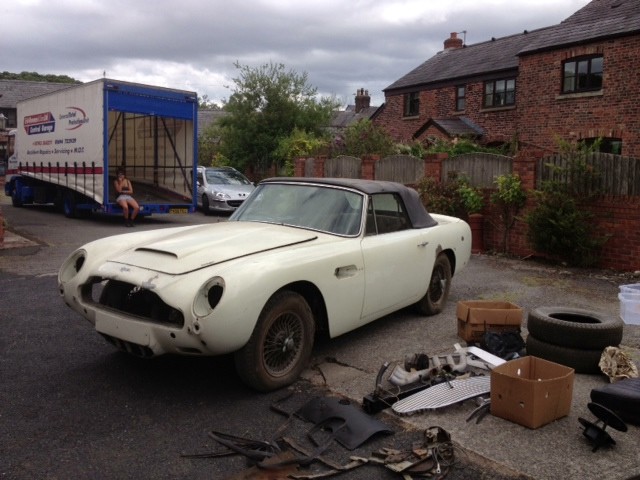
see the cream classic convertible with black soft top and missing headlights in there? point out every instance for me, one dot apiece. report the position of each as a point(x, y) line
point(301, 257)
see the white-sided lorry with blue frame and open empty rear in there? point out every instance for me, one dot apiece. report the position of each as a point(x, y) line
point(70, 143)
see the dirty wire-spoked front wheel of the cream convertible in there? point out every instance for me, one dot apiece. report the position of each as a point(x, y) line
point(280, 345)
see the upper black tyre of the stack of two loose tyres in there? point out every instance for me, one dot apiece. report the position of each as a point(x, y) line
point(575, 328)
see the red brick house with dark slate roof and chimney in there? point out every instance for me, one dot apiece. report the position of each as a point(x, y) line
point(576, 81)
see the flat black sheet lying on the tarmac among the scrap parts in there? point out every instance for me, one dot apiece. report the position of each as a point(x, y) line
point(350, 425)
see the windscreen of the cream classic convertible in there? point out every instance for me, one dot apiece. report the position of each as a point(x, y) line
point(327, 209)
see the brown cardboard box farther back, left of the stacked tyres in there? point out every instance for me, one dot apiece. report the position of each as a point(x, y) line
point(479, 316)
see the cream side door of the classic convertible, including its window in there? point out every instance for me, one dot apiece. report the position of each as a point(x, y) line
point(398, 259)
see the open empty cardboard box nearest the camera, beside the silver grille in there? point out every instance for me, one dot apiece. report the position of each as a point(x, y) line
point(531, 391)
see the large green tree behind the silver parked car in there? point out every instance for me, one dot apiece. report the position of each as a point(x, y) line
point(267, 104)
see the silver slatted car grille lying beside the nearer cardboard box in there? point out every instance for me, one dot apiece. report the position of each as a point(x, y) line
point(443, 394)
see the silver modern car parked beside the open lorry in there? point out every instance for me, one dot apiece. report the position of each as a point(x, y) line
point(222, 189)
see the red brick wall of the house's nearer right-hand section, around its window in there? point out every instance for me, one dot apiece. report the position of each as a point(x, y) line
point(544, 114)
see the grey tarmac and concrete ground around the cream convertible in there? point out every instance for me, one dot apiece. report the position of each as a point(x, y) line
point(74, 408)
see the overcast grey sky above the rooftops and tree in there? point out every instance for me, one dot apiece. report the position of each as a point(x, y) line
point(342, 45)
